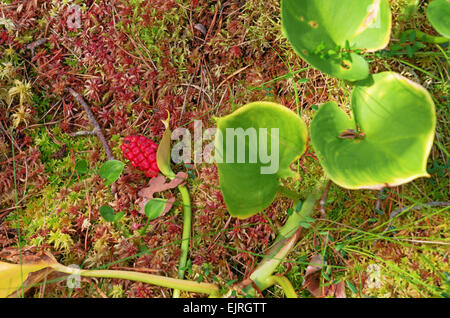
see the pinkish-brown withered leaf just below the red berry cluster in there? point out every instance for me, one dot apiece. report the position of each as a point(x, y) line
point(158, 184)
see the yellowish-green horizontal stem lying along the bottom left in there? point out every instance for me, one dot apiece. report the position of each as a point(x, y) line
point(178, 284)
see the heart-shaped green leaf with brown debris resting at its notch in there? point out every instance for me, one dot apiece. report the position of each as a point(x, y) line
point(398, 119)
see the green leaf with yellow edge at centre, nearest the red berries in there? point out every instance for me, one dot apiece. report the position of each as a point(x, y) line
point(250, 186)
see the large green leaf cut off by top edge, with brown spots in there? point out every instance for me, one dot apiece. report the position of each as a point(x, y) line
point(326, 32)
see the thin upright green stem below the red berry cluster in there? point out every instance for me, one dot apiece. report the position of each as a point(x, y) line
point(186, 235)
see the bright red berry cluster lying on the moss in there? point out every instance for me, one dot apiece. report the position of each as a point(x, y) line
point(141, 152)
